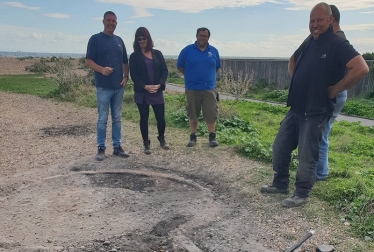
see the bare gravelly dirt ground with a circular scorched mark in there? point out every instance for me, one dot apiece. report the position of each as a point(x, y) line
point(55, 197)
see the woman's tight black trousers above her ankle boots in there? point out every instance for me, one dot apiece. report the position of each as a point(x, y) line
point(159, 110)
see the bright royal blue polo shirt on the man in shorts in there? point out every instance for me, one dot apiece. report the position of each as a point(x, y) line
point(199, 67)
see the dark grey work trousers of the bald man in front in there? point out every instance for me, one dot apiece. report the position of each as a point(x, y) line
point(302, 132)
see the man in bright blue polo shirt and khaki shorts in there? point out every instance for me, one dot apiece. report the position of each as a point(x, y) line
point(199, 63)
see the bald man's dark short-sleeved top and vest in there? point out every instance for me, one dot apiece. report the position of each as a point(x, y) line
point(319, 64)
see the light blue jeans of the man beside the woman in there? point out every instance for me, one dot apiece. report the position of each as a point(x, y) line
point(109, 98)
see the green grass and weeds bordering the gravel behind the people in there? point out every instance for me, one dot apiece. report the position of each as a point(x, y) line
point(250, 129)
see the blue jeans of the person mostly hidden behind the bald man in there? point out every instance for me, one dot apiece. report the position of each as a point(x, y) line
point(323, 164)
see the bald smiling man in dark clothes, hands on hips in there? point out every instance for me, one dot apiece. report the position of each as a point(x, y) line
point(318, 69)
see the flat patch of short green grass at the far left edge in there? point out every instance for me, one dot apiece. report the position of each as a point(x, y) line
point(34, 84)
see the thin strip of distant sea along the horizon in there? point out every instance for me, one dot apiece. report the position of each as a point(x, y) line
point(21, 54)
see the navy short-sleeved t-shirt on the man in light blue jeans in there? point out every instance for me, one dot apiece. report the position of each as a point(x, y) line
point(107, 51)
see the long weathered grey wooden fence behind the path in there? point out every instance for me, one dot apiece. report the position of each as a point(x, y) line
point(275, 71)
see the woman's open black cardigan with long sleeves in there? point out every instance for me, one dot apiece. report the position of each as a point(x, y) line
point(139, 72)
